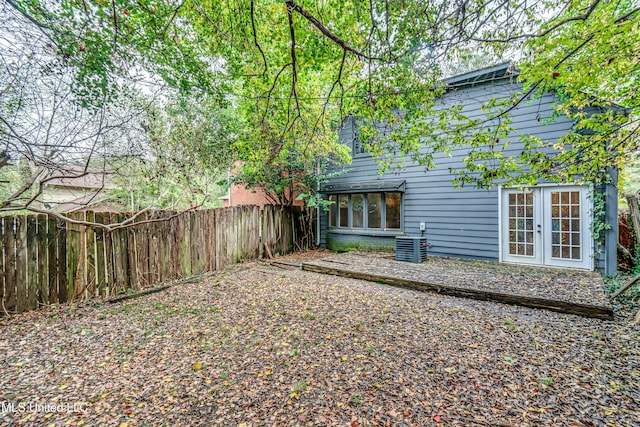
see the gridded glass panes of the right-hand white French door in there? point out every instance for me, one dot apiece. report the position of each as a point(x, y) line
point(565, 221)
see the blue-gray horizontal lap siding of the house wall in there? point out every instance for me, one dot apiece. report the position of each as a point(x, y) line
point(460, 222)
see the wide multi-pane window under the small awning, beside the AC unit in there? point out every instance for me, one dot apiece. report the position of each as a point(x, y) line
point(372, 211)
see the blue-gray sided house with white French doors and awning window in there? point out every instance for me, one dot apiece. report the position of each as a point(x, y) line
point(548, 224)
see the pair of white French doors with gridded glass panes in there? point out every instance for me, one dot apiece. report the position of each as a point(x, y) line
point(547, 225)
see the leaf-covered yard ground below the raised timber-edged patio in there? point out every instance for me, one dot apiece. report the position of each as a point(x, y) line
point(259, 344)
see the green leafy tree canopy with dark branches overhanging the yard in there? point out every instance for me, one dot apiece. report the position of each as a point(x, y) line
point(293, 70)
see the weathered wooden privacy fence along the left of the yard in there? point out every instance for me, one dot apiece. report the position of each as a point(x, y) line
point(47, 261)
